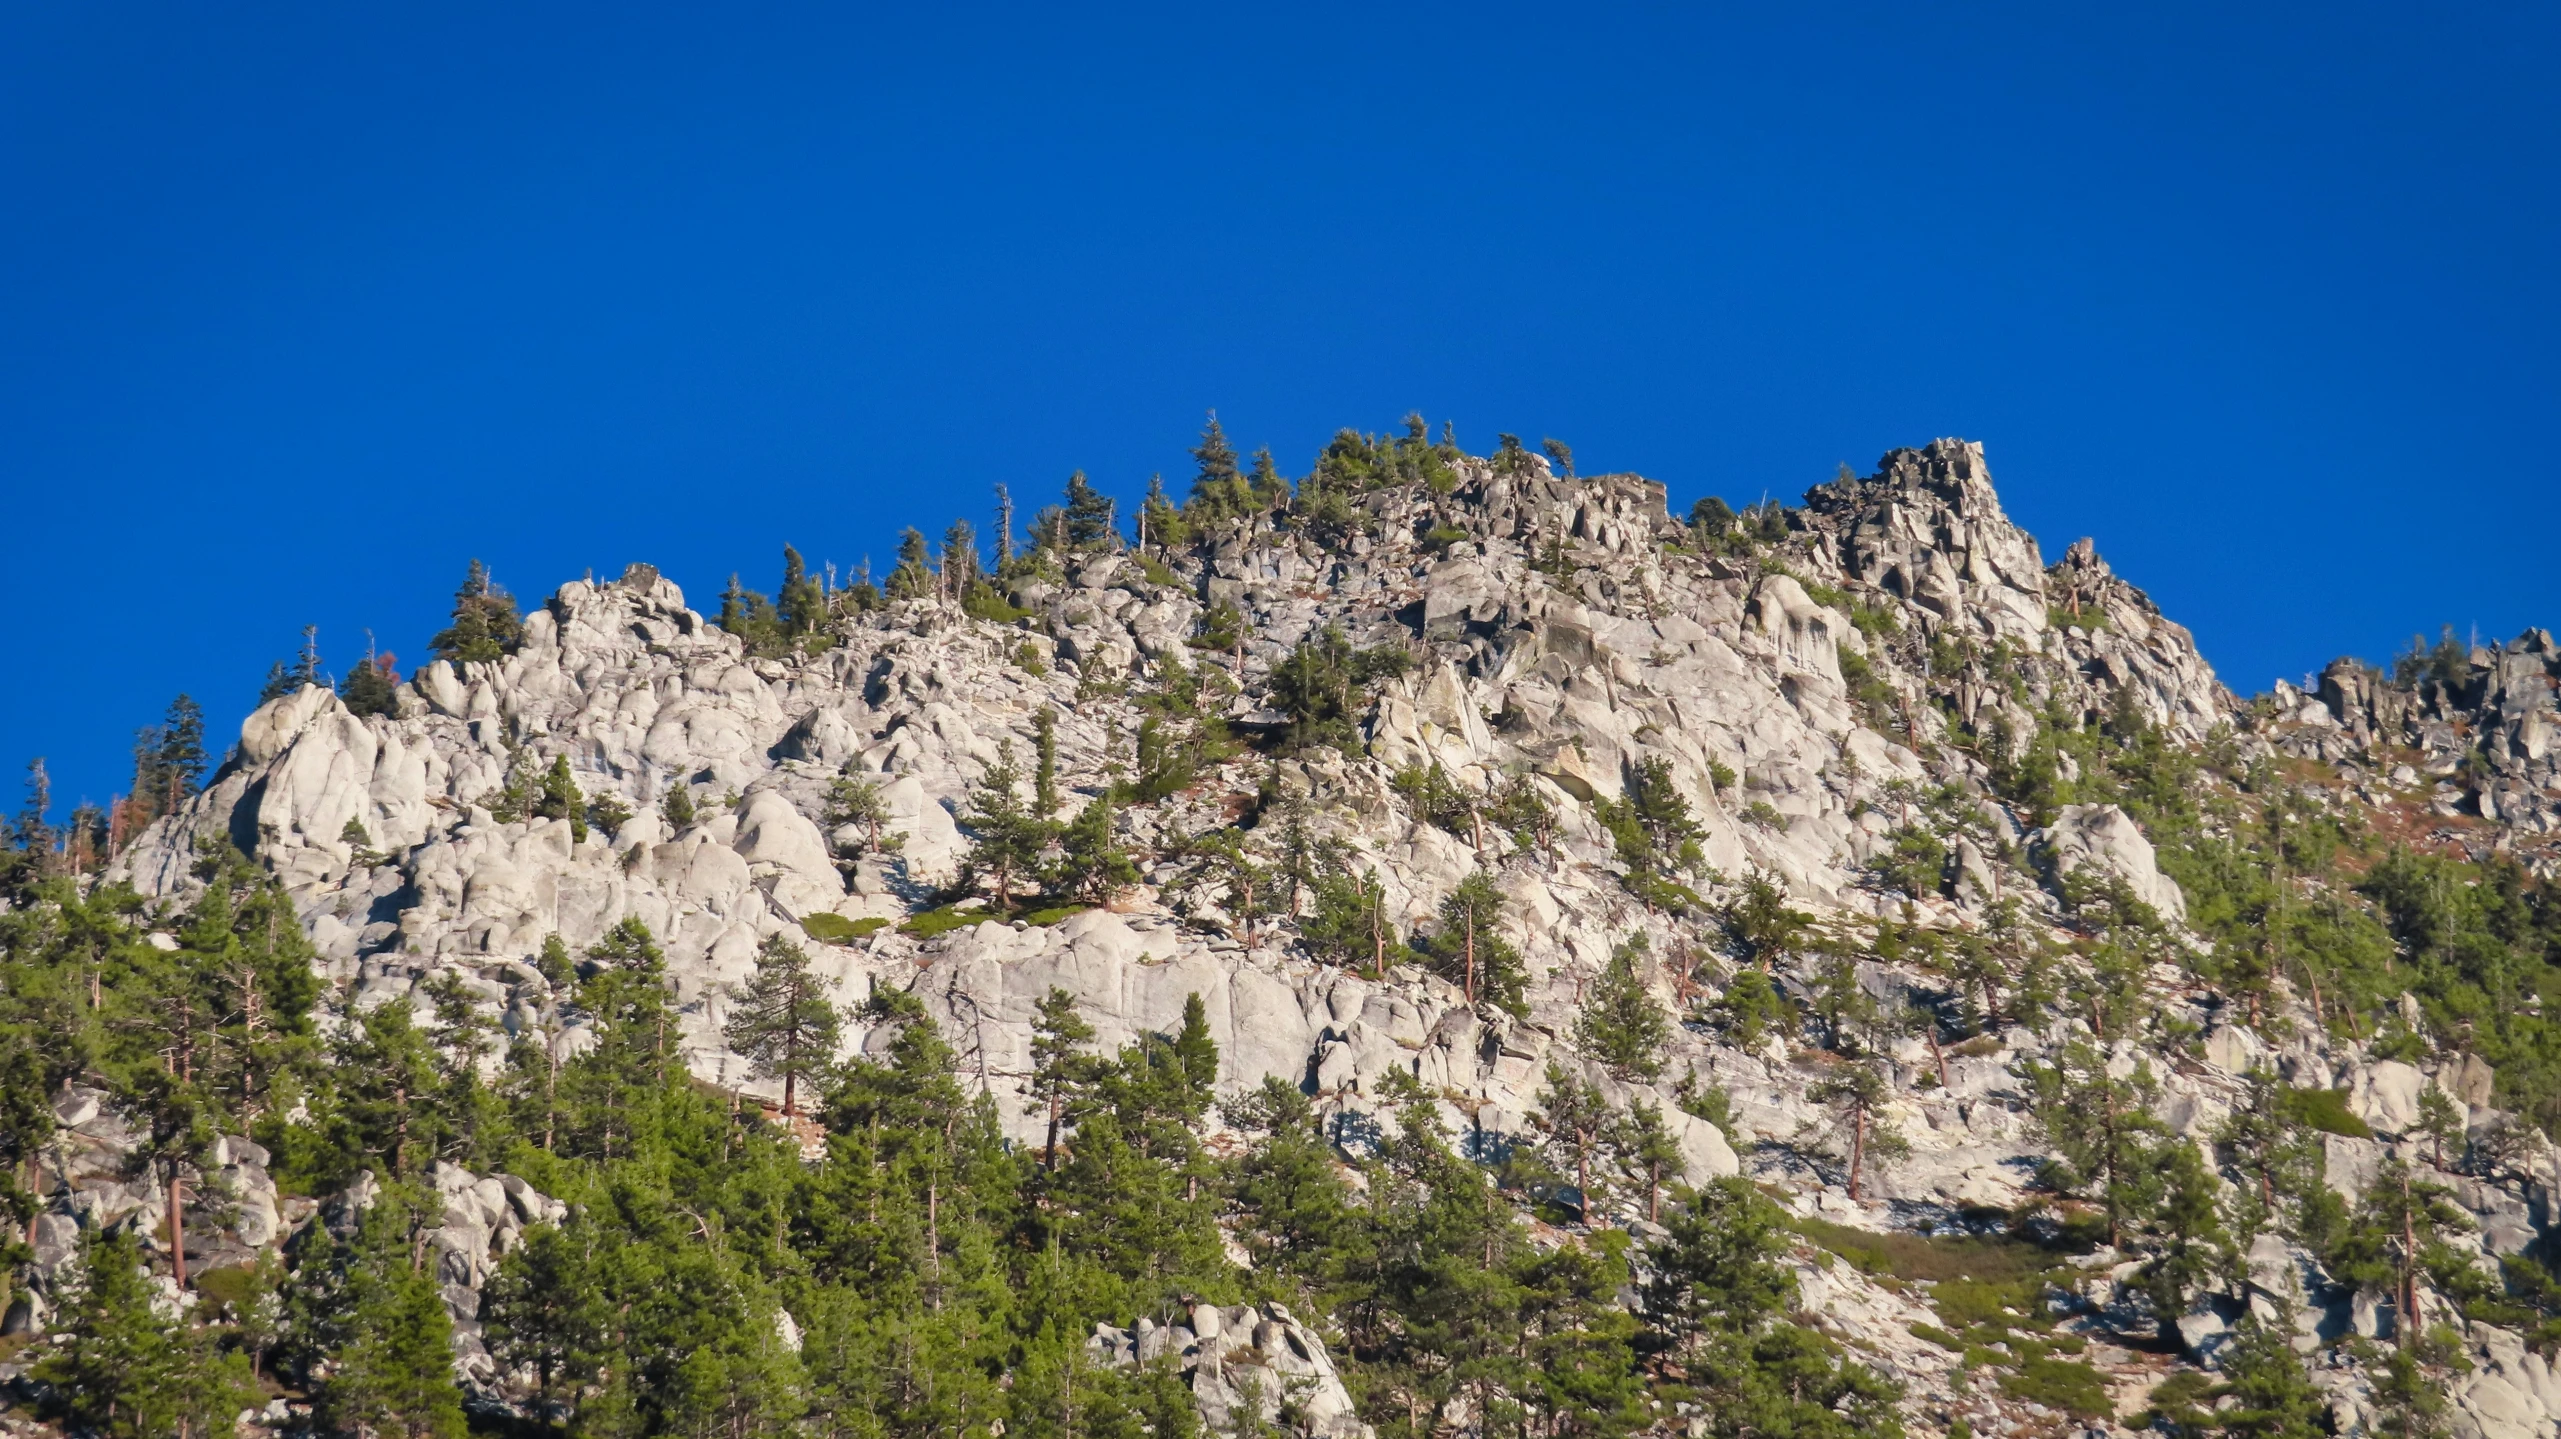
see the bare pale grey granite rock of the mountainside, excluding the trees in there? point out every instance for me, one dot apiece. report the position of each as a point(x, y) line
point(1574, 639)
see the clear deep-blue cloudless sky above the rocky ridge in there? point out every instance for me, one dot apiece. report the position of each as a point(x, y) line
point(306, 306)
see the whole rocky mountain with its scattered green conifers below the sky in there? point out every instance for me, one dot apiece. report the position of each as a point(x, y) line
point(1438, 946)
